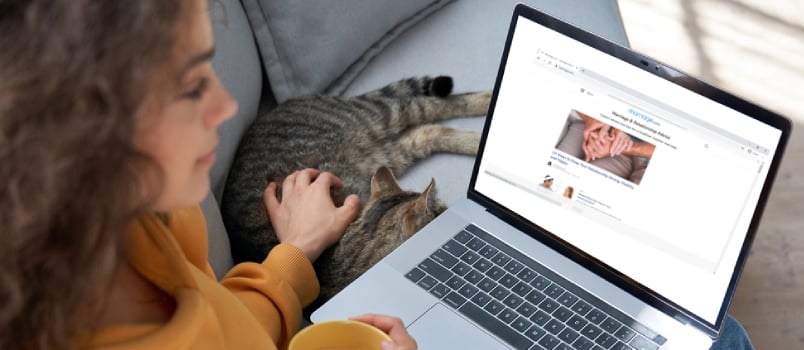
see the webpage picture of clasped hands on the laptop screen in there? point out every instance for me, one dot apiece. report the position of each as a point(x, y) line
point(604, 146)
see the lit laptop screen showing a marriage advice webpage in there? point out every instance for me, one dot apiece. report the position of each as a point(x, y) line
point(651, 179)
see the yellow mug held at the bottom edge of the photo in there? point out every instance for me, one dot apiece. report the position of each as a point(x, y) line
point(339, 335)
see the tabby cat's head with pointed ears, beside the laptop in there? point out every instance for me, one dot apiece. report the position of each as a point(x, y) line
point(392, 209)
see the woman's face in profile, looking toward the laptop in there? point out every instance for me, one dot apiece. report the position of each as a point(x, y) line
point(180, 130)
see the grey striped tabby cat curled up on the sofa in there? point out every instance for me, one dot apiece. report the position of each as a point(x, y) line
point(351, 137)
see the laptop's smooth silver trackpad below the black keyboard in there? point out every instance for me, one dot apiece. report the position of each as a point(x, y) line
point(441, 328)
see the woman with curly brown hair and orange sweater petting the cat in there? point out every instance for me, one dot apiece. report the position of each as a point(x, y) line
point(108, 118)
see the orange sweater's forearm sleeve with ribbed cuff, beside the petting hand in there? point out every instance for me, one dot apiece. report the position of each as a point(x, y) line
point(276, 290)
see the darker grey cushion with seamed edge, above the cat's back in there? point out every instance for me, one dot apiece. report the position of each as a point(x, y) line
point(320, 46)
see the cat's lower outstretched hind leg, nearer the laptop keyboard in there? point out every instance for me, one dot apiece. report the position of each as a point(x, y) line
point(426, 140)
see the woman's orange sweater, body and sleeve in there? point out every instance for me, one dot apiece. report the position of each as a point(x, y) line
point(255, 306)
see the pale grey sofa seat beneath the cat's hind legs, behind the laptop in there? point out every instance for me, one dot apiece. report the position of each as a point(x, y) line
point(465, 40)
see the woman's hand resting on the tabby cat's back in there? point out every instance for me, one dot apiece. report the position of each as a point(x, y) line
point(306, 217)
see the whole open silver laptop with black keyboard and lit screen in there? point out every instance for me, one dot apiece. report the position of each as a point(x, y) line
point(562, 245)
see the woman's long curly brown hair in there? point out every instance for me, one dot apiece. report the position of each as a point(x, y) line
point(73, 77)
